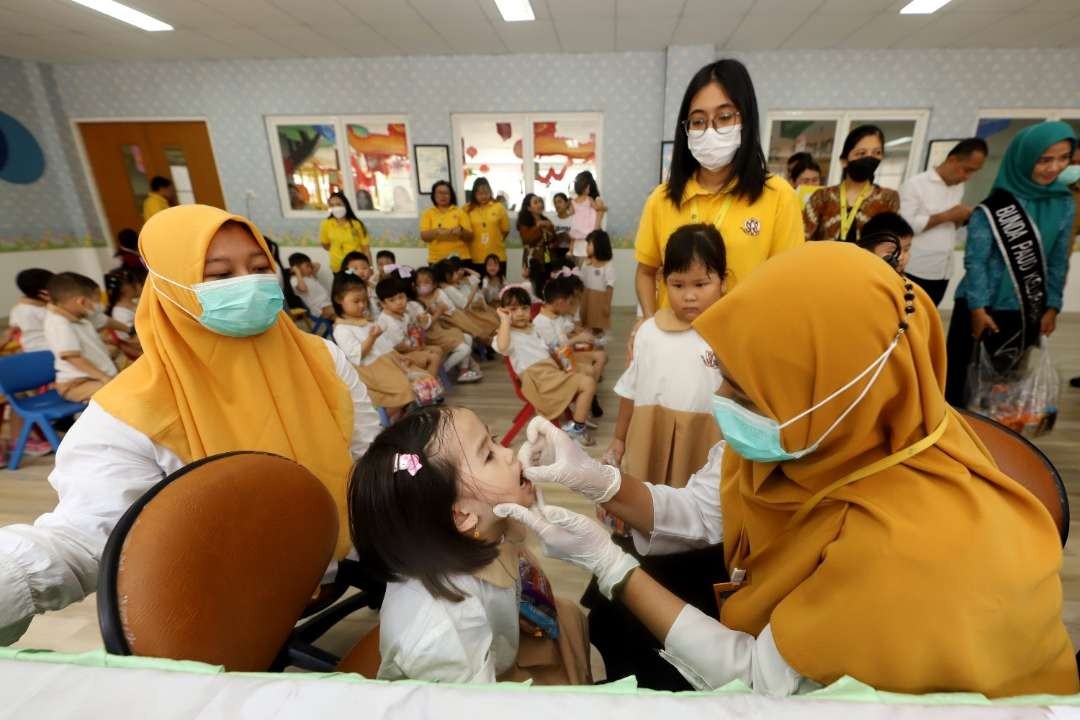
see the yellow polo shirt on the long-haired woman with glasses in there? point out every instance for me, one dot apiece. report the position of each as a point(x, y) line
point(753, 233)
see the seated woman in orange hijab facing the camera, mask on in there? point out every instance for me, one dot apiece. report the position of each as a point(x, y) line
point(224, 370)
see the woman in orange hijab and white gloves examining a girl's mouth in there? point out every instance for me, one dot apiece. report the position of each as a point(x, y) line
point(872, 534)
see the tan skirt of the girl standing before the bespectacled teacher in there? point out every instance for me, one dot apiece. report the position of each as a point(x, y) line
point(666, 447)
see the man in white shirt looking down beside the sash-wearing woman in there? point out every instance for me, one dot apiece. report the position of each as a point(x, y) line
point(931, 203)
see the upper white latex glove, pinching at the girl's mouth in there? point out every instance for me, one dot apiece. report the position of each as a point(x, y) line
point(551, 456)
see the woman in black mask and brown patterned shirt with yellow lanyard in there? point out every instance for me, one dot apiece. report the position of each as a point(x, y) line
point(841, 211)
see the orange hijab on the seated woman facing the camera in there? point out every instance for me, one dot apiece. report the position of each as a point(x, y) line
point(199, 393)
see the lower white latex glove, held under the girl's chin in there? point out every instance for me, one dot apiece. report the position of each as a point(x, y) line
point(566, 536)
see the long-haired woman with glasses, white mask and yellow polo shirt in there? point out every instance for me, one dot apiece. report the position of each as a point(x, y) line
point(719, 176)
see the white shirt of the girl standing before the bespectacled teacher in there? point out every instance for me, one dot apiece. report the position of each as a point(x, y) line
point(669, 371)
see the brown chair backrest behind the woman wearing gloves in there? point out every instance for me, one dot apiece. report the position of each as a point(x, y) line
point(1021, 460)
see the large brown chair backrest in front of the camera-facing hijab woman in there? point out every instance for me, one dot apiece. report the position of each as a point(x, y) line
point(218, 562)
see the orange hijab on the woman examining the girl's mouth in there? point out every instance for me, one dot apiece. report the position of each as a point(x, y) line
point(939, 574)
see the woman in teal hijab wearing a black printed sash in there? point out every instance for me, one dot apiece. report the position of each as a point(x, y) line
point(1017, 256)
